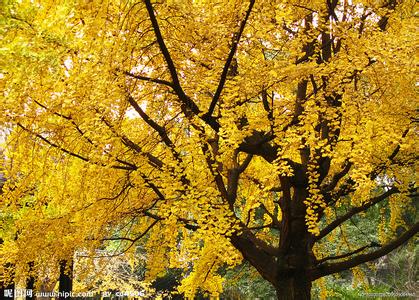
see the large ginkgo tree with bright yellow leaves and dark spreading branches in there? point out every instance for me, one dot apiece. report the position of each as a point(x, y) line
point(208, 131)
